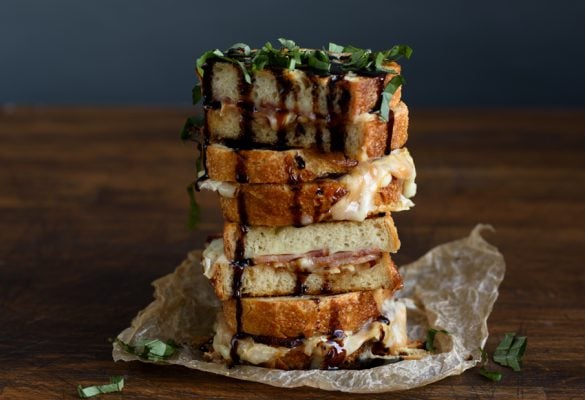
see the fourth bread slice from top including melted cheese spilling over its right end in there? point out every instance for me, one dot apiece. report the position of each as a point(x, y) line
point(373, 187)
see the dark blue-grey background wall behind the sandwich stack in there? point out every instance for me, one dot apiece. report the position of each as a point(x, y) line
point(470, 53)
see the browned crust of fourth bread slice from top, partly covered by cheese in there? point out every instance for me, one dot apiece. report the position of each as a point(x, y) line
point(311, 202)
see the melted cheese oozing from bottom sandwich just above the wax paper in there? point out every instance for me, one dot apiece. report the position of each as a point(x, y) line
point(393, 336)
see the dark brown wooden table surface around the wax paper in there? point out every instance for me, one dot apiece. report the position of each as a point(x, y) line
point(93, 208)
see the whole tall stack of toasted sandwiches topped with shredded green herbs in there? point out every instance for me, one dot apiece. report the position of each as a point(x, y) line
point(305, 149)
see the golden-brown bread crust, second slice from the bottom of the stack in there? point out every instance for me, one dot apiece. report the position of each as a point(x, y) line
point(291, 317)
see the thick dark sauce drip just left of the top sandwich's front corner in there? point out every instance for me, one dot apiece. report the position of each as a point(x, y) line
point(337, 120)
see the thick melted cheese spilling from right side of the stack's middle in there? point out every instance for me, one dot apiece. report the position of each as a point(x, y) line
point(365, 180)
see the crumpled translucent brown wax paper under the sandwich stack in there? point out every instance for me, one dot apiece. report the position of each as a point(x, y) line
point(453, 287)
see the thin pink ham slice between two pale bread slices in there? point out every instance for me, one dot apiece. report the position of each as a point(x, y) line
point(320, 258)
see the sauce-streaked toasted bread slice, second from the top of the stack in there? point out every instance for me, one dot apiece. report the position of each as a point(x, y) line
point(362, 137)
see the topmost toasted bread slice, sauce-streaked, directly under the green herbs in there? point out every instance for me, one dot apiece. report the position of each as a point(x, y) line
point(300, 91)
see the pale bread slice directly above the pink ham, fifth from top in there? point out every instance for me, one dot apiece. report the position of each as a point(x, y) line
point(252, 242)
